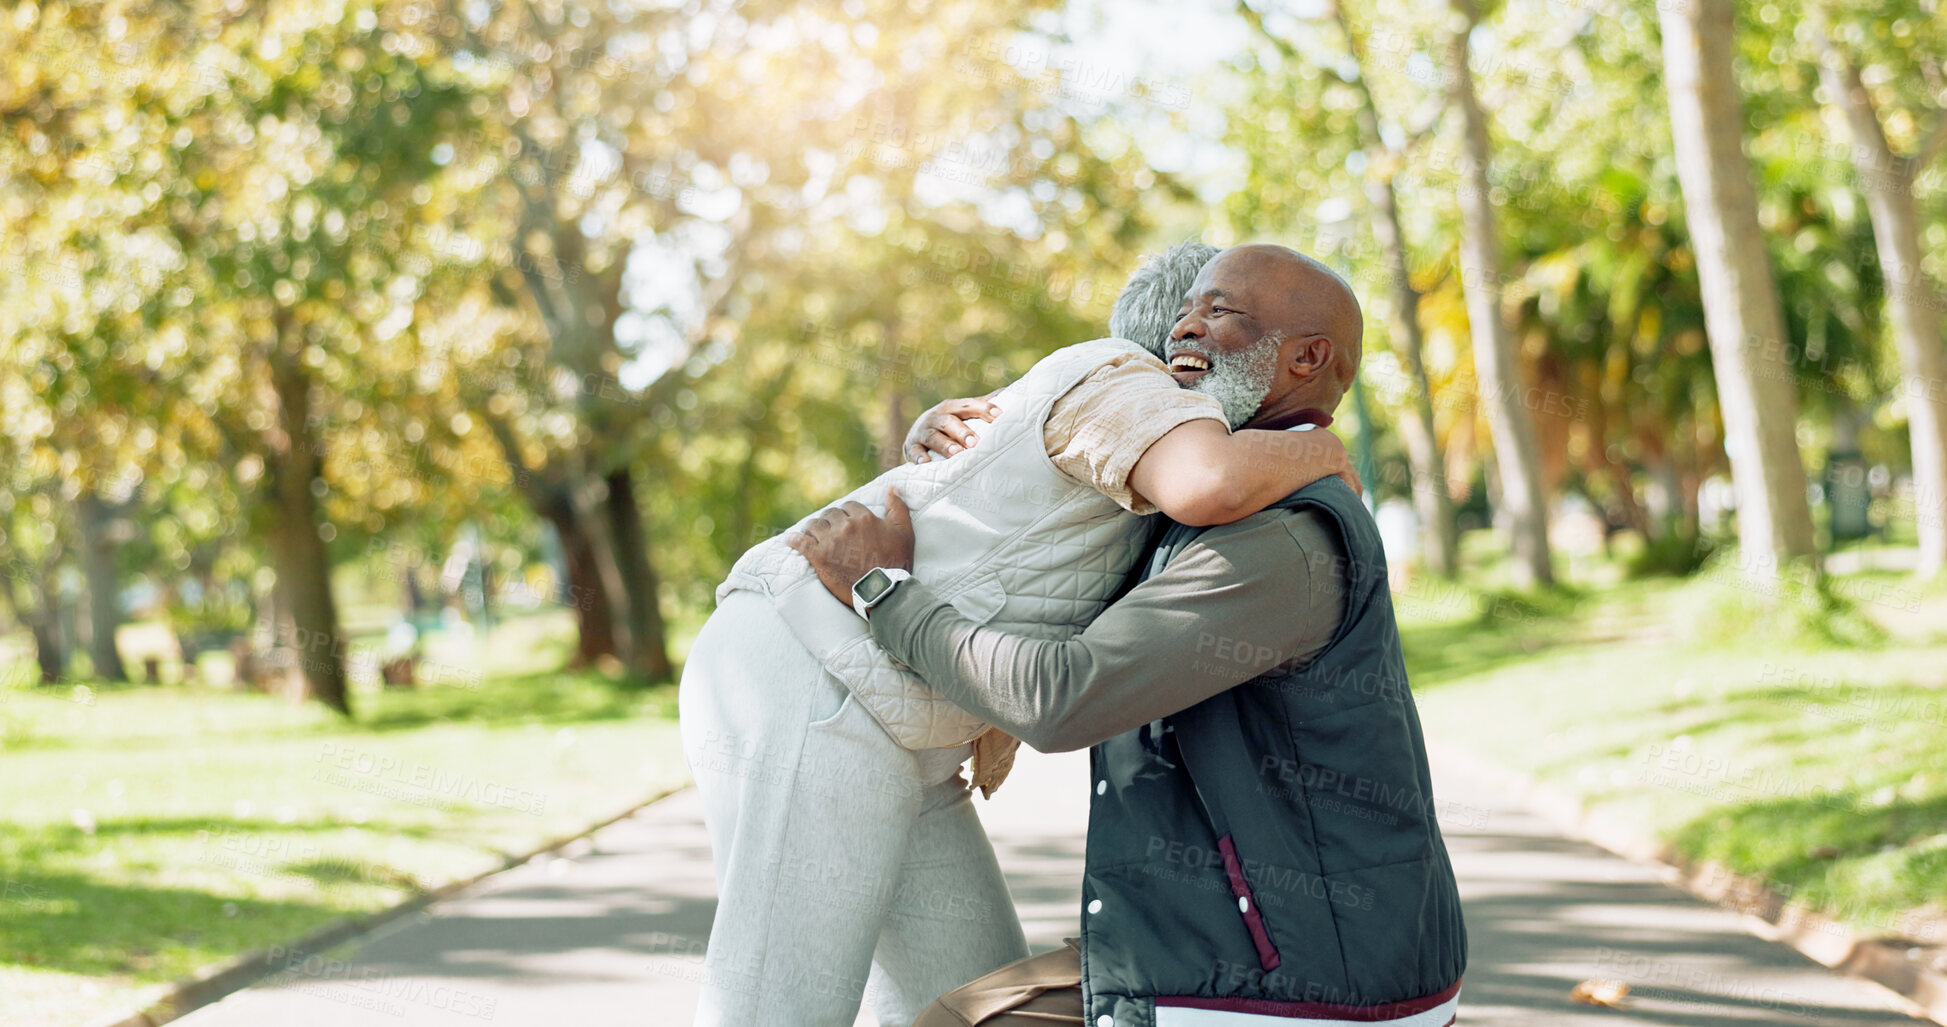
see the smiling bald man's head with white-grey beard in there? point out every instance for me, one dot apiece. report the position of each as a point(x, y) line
point(1278, 330)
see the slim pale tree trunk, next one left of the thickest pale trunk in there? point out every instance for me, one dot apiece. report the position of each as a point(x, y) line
point(1516, 449)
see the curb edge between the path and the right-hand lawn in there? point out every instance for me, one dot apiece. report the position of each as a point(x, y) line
point(1812, 934)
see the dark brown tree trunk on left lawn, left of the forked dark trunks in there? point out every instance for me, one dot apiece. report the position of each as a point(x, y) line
point(297, 551)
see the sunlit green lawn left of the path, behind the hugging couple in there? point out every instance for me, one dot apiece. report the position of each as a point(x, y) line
point(155, 831)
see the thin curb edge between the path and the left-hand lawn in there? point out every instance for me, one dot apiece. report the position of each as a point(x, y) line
point(233, 975)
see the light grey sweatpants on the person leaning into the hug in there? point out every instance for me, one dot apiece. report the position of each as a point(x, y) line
point(848, 868)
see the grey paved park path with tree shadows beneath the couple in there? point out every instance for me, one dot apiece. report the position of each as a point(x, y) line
point(614, 932)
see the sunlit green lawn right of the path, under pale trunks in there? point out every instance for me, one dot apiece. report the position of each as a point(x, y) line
point(1806, 747)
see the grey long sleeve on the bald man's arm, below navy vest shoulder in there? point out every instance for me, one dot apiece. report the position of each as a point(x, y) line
point(1237, 603)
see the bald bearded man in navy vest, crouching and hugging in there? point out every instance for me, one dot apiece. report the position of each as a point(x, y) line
point(1263, 841)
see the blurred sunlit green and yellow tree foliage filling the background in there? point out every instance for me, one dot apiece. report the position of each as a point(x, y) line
point(379, 274)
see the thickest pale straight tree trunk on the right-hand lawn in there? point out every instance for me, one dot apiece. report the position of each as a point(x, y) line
point(1742, 313)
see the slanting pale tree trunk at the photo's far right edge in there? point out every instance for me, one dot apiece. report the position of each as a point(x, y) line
point(1888, 182)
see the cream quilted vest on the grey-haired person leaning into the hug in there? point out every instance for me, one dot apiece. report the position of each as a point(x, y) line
point(1002, 535)
